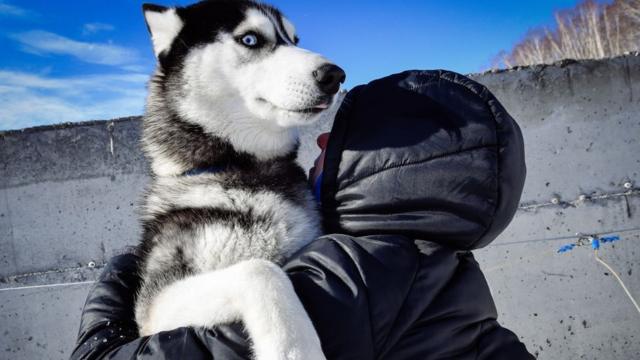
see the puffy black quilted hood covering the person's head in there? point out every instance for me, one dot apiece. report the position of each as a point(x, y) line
point(431, 155)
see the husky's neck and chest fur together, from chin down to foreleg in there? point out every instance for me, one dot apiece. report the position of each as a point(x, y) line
point(247, 209)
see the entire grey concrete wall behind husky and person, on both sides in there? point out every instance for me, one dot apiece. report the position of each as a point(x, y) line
point(68, 194)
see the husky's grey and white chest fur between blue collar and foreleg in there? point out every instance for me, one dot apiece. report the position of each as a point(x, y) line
point(209, 221)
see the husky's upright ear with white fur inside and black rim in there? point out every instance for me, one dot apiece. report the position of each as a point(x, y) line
point(164, 25)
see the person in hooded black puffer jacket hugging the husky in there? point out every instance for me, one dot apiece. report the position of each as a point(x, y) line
point(420, 168)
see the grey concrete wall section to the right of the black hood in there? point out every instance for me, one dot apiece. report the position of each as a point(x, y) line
point(581, 125)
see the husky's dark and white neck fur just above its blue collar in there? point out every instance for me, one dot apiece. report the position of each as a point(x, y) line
point(175, 146)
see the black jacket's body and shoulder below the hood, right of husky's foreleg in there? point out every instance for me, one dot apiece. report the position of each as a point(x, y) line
point(386, 297)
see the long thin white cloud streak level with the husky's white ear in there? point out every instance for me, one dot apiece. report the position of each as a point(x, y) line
point(45, 43)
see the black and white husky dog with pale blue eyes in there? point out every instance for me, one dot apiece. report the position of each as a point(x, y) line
point(227, 201)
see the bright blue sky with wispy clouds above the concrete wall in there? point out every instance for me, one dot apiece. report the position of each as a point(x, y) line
point(88, 60)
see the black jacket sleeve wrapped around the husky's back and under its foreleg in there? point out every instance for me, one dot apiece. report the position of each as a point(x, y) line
point(108, 329)
